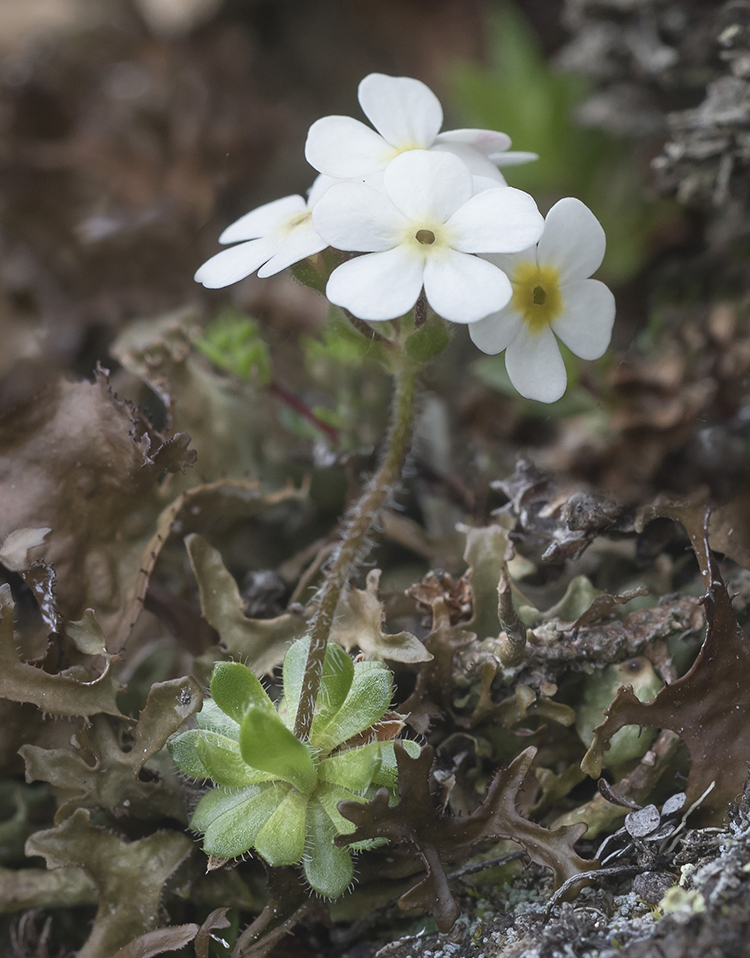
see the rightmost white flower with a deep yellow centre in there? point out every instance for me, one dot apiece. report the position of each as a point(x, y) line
point(552, 296)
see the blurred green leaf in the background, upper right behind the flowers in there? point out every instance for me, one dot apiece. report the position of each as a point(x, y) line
point(521, 94)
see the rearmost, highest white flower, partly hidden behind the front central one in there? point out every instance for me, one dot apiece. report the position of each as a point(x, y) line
point(407, 116)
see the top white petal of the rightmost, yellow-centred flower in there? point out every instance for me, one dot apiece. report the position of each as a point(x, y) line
point(573, 240)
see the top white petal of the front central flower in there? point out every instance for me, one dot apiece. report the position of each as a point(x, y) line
point(428, 187)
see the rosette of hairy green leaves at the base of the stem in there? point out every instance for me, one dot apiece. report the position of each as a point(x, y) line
point(279, 795)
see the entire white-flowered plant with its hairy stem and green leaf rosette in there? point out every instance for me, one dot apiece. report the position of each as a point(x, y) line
point(406, 229)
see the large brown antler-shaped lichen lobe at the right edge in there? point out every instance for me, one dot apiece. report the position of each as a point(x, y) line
point(707, 706)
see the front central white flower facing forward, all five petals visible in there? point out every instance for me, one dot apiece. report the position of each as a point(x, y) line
point(422, 230)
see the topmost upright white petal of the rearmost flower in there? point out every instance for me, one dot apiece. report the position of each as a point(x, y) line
point(404, 111)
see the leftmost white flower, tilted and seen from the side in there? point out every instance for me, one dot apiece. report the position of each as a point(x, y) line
point(279, 234)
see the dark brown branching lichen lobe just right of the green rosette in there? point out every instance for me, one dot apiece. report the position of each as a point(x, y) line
point(438, 838)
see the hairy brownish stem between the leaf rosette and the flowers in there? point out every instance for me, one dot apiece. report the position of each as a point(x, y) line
point(354, 541)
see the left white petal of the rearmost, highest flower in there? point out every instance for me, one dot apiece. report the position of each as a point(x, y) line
point(343, 147)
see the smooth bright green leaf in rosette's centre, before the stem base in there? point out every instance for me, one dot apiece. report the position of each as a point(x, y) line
point(266, 743)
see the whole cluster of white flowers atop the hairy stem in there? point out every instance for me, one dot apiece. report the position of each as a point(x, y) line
point(432, 216)
